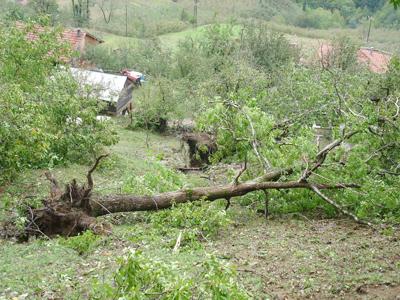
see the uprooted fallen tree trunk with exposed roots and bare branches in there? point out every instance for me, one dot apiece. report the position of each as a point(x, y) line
point(75, 209)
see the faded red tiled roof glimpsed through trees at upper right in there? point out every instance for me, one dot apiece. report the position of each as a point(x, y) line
point(376, 60)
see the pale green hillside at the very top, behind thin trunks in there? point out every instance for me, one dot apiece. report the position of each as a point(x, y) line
point(149, 18)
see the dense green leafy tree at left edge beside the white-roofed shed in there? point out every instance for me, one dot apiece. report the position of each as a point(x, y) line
point(45, 121)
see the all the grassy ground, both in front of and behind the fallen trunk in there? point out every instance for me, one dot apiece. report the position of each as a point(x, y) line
point(285, 257)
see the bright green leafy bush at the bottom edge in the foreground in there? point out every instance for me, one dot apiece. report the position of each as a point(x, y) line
point(140, 277)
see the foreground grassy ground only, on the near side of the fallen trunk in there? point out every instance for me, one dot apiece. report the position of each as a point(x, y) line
point(297, 258)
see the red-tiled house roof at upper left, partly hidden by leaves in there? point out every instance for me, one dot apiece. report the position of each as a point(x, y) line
point(77, 38)
